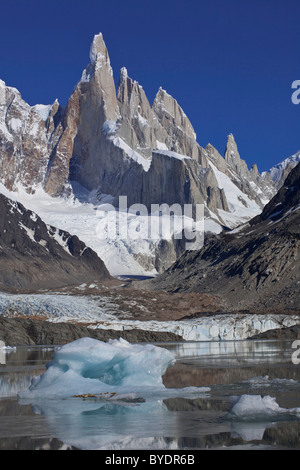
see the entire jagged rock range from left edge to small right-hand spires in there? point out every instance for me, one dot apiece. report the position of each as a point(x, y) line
point(114, 142)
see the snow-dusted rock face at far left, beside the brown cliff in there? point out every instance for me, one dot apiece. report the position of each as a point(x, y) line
point(28, 136)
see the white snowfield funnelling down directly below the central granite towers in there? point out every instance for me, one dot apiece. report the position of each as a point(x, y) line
point(94, 224)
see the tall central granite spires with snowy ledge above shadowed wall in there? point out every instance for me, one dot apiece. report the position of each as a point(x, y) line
point(126, 147)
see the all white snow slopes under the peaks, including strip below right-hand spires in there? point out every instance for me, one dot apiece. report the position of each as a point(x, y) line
point(139, 251)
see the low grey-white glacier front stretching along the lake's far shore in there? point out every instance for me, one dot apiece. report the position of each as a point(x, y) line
point(101, 311)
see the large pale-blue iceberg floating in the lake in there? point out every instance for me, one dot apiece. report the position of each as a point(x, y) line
point(113, 370)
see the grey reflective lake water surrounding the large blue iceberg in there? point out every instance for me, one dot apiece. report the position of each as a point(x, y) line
point(248, 398)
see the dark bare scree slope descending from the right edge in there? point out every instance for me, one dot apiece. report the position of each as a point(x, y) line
point(256, 267)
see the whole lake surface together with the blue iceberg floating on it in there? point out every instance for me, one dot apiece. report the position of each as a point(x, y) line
point(173, 396)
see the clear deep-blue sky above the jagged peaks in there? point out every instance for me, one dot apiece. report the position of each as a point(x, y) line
point(230, 64)
